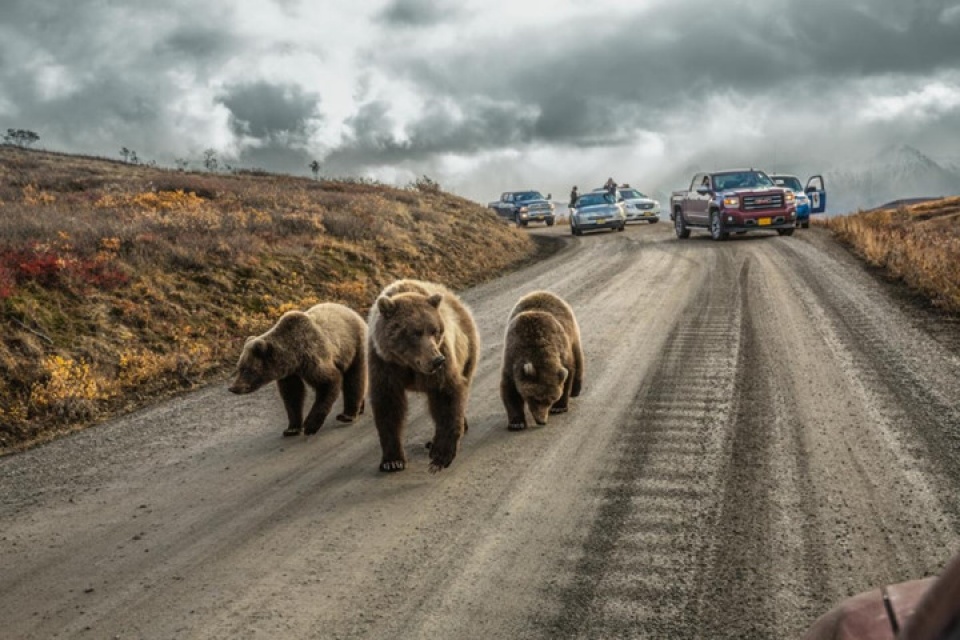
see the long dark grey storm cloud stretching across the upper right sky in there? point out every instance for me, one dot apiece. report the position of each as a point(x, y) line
point(599, 81)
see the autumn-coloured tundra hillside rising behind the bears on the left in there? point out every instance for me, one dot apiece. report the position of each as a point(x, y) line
point(123, 283)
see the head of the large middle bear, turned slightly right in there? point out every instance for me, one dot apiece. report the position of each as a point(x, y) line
point(410, 331)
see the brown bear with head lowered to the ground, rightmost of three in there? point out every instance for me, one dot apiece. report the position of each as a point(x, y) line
point(542, 359)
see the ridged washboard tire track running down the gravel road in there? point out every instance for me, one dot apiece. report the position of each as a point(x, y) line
point(641, 569)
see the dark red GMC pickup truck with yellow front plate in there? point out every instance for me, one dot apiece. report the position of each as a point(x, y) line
point(738, 201)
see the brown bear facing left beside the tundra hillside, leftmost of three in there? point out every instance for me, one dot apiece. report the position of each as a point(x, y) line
point(324, 347)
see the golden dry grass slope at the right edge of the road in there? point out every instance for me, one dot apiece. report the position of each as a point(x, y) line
point(919, 244)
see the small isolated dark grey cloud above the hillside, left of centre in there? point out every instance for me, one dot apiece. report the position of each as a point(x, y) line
point(265, 110)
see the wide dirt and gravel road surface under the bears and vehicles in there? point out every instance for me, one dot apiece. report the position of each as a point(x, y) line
point(765, 428)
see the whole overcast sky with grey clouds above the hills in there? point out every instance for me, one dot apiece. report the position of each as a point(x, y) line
point(486, 96)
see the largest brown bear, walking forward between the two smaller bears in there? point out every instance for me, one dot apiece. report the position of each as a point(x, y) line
point(422, 338)
